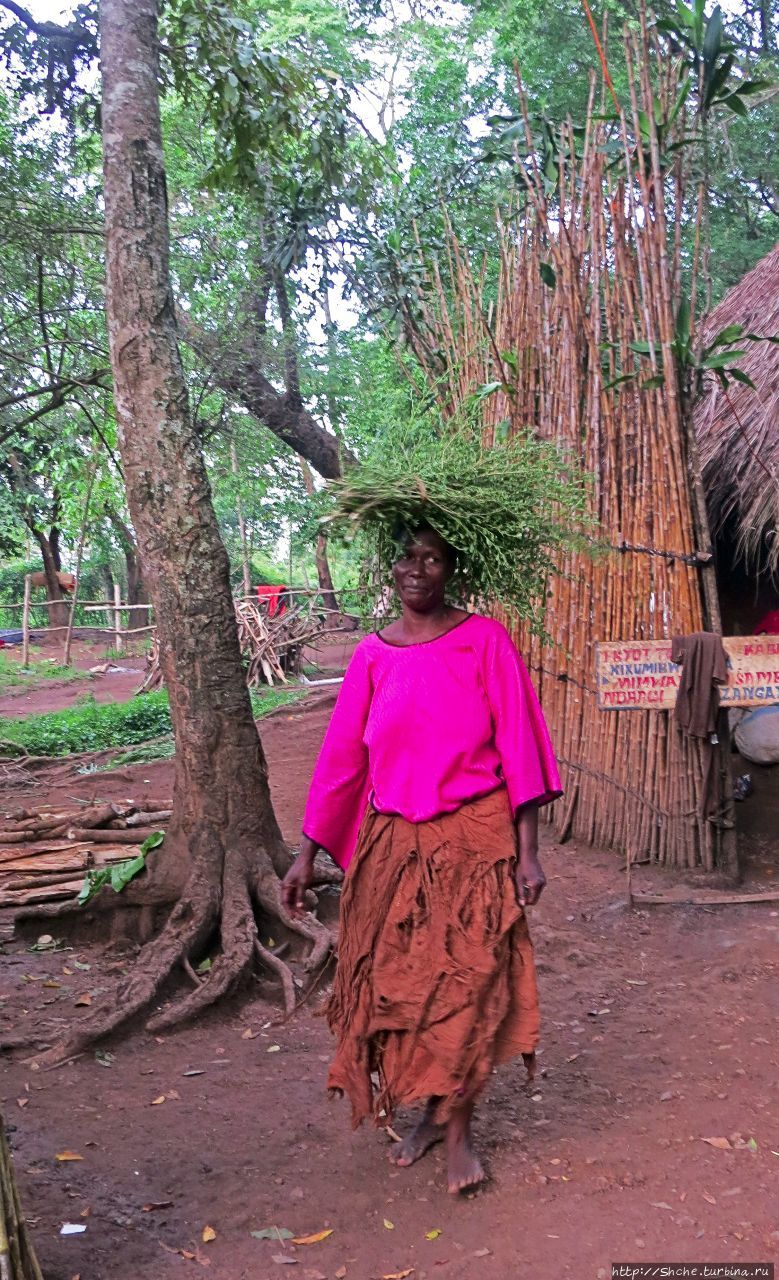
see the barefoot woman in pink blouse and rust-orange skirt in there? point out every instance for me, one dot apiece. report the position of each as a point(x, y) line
point(434, 766)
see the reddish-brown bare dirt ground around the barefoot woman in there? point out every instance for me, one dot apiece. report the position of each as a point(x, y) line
point(661, 1034)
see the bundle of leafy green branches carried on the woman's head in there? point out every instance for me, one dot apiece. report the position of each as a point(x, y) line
point(510, 511)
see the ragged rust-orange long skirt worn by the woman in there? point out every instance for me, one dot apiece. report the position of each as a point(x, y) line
point(436, 981)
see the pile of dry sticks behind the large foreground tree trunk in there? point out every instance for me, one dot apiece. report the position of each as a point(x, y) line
point(272, 646)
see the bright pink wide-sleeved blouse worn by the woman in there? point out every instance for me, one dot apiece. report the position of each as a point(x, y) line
point(421, 729)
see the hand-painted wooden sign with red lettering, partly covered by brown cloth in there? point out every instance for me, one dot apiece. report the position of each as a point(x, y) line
point(639, 675)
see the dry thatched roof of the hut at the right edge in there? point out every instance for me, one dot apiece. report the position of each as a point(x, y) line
point(741, 463)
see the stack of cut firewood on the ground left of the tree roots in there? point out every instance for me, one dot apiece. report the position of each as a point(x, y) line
point(47, 853)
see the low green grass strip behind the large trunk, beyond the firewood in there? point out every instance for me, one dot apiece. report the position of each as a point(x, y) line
point(90, 726)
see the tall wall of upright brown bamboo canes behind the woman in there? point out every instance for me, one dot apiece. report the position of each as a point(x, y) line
point(589, 266)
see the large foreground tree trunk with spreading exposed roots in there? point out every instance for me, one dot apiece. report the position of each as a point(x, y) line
point(223, 847)
